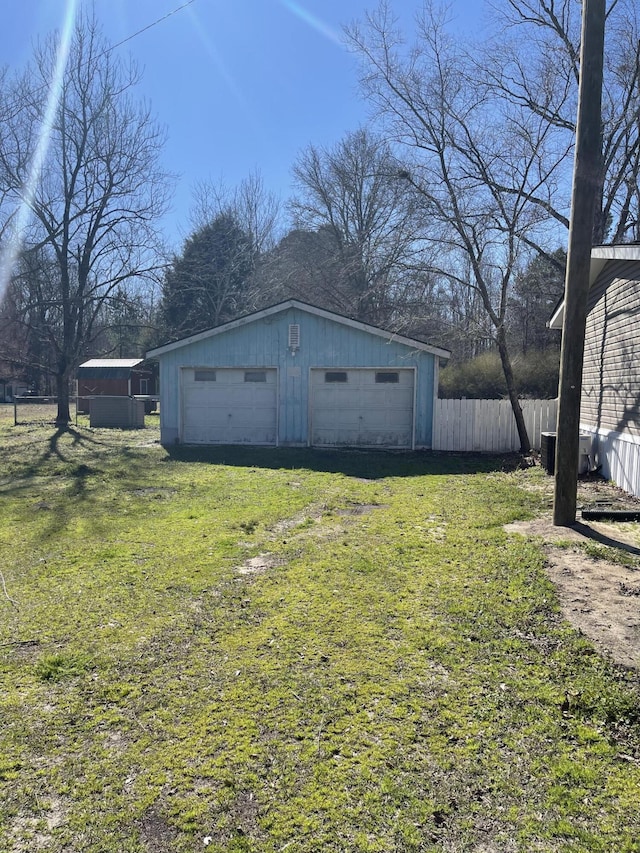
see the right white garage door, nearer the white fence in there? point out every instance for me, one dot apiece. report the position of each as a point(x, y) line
point(362, 407)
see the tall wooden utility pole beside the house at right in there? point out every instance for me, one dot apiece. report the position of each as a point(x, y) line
point(586, 183)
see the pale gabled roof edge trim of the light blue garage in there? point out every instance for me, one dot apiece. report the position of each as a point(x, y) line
point(309, 309)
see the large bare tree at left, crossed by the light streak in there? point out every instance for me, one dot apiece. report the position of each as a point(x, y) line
point(93, 206)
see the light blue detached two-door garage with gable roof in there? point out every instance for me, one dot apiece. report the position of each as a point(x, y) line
point(298, 375)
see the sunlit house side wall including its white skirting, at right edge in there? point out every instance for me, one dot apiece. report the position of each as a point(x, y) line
point(610, 406)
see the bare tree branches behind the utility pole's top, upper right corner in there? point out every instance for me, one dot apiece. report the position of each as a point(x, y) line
point(532, 65)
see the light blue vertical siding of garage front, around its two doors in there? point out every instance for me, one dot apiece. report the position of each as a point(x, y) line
point(323, 343)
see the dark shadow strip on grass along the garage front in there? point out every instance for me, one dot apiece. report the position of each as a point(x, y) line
point(363, 464)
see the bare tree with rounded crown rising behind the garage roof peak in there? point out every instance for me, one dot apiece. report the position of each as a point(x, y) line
point(352, 197)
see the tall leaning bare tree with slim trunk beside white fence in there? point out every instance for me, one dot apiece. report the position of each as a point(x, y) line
point(472, 168)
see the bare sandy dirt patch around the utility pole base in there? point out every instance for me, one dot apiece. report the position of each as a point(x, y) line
point(599, 596)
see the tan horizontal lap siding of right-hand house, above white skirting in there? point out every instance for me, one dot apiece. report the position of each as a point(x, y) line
point(611, 374)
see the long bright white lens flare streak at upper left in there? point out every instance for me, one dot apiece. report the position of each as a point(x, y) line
point(19, 217)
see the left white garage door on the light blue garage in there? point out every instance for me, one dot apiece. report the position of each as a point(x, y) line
point(229, 406)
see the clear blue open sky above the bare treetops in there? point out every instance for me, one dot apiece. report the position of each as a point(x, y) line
point(240, 85)
